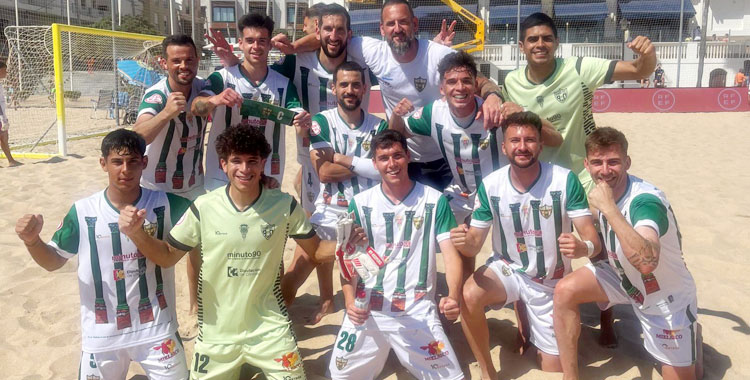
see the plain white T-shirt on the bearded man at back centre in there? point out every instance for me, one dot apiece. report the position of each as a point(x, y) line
point(418, 81)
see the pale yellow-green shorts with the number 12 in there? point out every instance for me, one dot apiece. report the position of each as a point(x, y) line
point(277, 357)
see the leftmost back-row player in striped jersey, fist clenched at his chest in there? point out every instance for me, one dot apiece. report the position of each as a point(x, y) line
point(174, 136)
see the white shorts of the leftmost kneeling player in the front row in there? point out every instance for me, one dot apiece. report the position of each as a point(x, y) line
point(162, 359)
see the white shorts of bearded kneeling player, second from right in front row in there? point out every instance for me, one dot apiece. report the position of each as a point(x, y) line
point(538, 300)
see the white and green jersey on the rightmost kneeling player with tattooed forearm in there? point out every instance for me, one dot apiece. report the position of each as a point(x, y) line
point(669, 288)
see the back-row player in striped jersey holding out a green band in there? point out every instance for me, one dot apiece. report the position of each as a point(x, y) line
point(252, 79)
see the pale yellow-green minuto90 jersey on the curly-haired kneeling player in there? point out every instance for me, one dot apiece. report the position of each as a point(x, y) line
point(239, 294)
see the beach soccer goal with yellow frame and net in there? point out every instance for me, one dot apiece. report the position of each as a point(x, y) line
point(67, 81)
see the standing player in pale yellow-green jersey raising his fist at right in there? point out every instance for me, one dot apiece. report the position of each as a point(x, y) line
point(561, 90)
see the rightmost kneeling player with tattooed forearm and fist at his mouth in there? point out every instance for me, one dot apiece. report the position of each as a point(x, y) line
point(646, 268)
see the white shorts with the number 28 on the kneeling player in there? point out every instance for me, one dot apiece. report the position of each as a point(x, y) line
point(360, 352)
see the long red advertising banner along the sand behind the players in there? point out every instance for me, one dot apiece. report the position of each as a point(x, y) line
point(728, 99)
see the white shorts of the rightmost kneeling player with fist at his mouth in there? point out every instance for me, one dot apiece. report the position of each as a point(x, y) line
point(670, 339)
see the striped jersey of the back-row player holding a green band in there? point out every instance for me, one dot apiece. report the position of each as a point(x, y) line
point(275, 89)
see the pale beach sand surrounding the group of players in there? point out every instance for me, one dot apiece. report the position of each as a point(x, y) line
point(699, 160)
